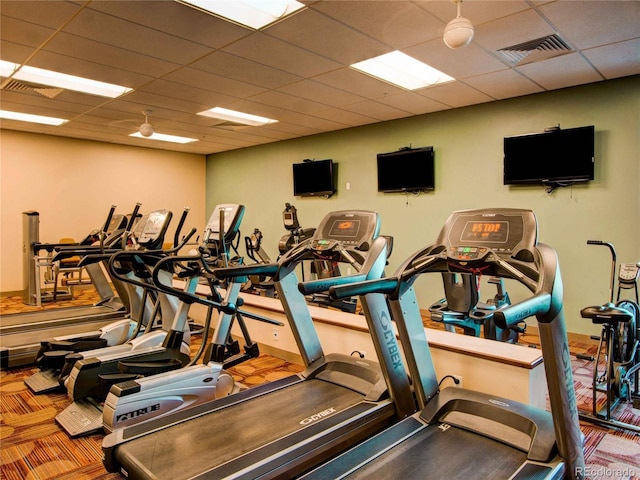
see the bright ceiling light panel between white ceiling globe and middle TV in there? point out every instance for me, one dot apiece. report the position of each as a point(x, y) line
point(402, 70)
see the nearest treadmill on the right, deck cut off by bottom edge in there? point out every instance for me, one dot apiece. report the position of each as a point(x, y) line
point(461, 434)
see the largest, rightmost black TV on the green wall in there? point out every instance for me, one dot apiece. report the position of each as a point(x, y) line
point(552, 157)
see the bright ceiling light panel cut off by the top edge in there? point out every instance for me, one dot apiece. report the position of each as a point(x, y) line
point(254, 14)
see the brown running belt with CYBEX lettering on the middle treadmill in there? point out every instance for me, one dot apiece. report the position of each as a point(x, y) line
point(206, 442)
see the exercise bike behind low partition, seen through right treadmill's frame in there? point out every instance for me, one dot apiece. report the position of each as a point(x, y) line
point(461, 308)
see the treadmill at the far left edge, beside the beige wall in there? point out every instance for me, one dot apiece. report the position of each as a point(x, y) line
point(20, 333)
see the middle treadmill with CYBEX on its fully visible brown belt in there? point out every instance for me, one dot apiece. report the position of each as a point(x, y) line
point(289, 425)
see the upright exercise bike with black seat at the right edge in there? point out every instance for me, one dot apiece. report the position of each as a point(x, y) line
point(618, 346)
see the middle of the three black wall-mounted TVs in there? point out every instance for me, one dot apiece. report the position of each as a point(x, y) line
point(407, 170)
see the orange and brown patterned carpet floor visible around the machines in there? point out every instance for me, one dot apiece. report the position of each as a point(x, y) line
point(33, 447)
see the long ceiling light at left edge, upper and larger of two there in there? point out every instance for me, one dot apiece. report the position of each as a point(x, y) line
point(61, 80)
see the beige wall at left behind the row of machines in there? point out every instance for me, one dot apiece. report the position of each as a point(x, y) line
point(73, 183)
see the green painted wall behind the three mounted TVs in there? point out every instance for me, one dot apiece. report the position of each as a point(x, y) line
point(468, 150)
